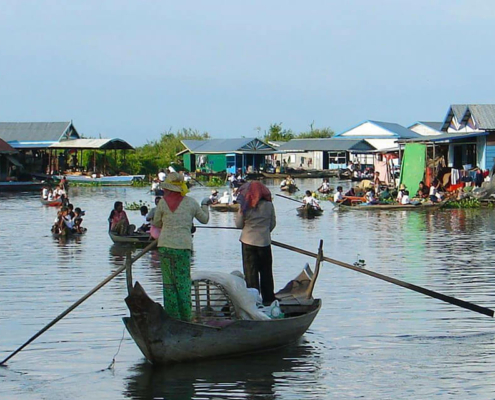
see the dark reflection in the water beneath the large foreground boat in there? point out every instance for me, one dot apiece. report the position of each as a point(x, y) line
point(263, 375)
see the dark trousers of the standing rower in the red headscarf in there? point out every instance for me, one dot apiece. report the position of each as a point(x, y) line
point(257, 265)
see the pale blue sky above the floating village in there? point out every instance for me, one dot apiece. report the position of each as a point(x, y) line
point(137, 69)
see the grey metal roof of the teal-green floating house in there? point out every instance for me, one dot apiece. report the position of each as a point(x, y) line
point(227, 145)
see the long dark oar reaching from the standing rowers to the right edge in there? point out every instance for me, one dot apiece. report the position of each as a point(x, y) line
point(448, 299)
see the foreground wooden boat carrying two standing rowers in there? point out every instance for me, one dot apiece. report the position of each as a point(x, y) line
point(165, 340)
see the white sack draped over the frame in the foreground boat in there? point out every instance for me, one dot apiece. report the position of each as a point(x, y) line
point(243, 301)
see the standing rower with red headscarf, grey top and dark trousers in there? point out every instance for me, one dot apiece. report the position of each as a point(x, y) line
point(256, 217)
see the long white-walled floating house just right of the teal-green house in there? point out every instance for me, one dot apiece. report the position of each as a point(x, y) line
point(331, 153)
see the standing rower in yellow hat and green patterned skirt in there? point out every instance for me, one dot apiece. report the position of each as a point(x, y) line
point(174, 215)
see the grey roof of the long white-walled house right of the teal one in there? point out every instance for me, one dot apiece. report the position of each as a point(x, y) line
point(329, 144)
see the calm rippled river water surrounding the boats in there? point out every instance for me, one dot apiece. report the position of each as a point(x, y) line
point(371, 339)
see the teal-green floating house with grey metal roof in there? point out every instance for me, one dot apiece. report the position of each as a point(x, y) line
point(218, 155)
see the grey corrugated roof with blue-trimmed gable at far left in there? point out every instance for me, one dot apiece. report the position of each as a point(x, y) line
point(34, 131)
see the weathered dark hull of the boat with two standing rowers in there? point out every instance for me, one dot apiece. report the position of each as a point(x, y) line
point(164, 340)
